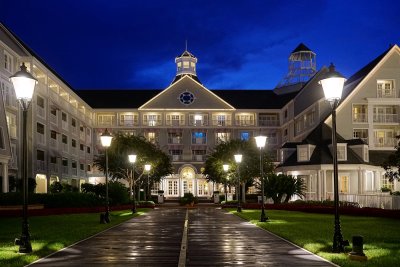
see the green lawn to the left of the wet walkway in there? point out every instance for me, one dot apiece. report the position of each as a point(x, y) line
point(52, 233)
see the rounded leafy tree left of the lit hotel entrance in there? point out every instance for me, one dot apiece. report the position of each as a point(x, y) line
point(147, 153)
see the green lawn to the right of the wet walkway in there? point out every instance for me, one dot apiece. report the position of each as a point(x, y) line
point(314, 232)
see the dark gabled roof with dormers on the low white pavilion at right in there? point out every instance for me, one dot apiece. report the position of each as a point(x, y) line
point(321, 137)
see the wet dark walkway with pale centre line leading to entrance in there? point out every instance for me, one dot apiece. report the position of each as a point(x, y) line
point(215, 238)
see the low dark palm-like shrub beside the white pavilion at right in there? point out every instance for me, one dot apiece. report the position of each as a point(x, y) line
point(283, 187)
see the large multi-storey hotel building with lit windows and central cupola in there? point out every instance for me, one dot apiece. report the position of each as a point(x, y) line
point(187, 120)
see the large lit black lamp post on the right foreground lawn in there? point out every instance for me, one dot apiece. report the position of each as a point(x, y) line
point(332, 84)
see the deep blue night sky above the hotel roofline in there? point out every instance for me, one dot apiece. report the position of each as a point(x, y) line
point(127, 44)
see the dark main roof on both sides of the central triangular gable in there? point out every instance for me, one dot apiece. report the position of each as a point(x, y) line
point(240, 99)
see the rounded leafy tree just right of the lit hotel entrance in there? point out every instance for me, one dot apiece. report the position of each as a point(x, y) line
point(249, 168)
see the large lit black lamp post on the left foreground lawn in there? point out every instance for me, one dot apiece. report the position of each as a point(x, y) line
point(24, 86)
